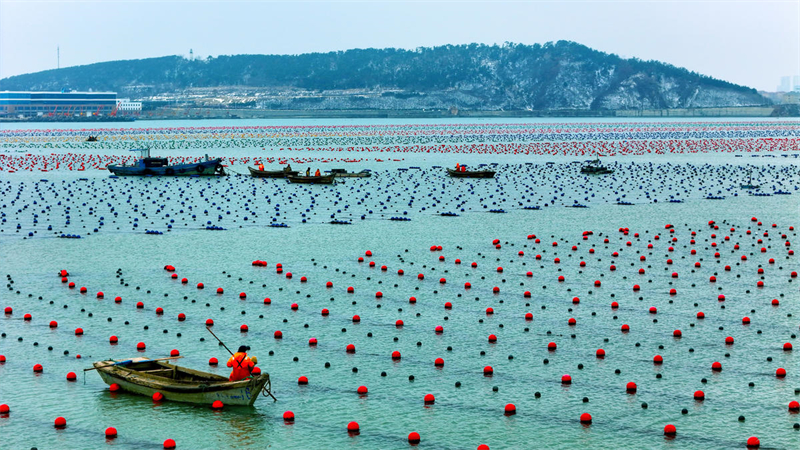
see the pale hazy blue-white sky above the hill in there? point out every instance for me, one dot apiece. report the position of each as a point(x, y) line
point(752, 43)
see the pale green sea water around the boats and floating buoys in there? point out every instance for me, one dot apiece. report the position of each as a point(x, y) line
point(121, 260)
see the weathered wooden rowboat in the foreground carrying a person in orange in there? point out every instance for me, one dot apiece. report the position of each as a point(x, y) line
point(146, 377)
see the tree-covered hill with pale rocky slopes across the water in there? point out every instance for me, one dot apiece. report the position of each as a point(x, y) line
point(554, 76)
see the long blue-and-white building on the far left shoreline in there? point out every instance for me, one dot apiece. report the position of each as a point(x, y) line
point(70, 103)
